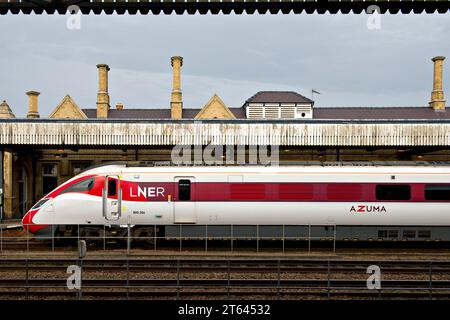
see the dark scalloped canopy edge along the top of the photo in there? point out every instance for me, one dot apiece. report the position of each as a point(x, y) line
point(221, 6)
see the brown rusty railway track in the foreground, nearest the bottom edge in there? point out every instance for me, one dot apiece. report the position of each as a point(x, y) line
point(222, 278)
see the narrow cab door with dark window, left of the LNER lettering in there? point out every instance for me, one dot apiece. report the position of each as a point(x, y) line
point(112, 198)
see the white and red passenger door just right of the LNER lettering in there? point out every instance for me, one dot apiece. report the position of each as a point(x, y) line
point(183, 204)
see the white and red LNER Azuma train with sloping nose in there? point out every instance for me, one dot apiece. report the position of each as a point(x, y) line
point(363, 202)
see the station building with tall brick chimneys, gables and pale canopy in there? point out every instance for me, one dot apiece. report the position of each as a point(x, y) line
point(40, 152)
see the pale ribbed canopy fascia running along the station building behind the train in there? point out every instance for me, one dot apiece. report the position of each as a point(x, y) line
point(48, 132)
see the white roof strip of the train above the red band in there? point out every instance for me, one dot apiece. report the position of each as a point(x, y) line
point(303, 166)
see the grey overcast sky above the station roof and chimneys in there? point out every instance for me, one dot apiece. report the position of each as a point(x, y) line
point(233, 56)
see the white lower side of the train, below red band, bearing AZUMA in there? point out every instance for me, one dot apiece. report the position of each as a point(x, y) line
point(68, 211)
